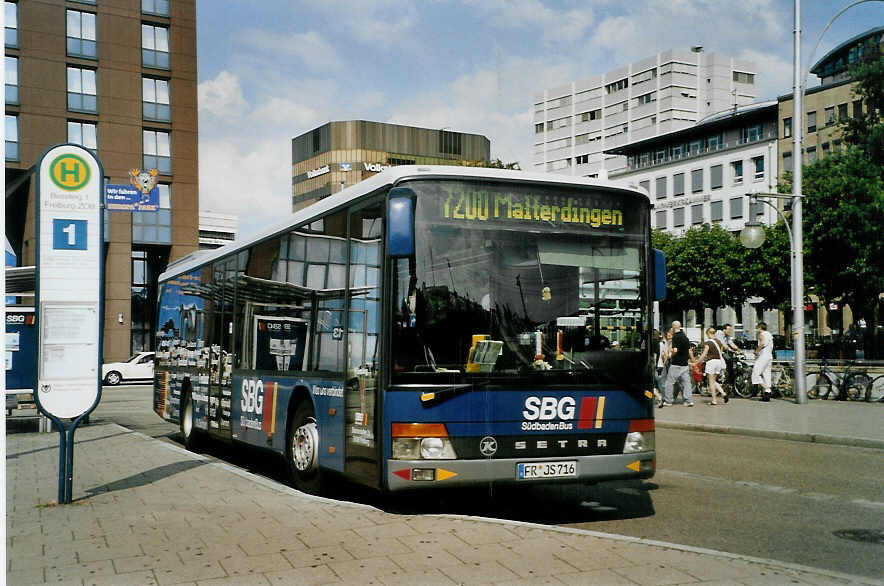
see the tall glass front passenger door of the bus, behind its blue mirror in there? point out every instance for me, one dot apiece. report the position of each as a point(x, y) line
point(361, 394)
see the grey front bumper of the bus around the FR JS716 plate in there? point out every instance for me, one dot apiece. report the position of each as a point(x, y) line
point(419, 474)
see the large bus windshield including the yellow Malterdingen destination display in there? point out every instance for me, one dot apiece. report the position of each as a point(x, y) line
point(517, 284)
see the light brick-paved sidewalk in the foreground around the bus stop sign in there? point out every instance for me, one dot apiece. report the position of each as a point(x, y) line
point(148, 512)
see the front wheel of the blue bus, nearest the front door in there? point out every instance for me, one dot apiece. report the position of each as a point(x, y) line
point(302, 450)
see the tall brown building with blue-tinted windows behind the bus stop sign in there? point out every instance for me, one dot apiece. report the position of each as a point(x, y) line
point(118, 78)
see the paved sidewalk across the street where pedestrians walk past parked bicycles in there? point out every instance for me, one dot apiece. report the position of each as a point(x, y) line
point(847, 423)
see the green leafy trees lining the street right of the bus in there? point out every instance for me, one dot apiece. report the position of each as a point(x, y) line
point(843, 219)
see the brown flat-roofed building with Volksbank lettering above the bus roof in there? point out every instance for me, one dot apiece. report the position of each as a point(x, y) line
point(339, 154)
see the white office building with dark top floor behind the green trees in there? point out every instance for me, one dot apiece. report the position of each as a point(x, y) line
point(701, 175)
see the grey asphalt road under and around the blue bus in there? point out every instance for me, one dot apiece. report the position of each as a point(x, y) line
point(768, 498)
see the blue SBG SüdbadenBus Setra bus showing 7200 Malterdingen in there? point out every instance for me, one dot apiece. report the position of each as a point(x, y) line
point(428, 327)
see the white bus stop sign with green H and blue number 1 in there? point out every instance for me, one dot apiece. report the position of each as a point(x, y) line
point(69, 300)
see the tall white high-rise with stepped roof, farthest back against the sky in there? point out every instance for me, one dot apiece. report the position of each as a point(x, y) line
point(577, 123)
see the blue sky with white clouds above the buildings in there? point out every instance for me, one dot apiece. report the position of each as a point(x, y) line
point(270, 70)
